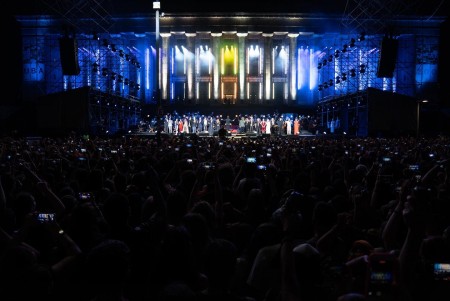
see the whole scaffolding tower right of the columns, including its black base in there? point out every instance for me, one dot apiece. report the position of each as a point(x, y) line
point(347, 72)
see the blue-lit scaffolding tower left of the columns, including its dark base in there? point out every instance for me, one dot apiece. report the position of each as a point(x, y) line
point(107, 62)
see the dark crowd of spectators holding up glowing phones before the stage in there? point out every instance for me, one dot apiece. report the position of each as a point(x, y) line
point(204, 218)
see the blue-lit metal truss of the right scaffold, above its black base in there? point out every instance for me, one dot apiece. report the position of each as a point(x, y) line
point(365, 23)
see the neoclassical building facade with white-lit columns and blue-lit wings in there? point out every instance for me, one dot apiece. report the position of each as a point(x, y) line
point(292, 59)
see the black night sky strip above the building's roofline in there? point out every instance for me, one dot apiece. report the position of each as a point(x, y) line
point(419, 7)
